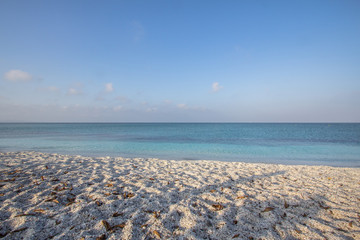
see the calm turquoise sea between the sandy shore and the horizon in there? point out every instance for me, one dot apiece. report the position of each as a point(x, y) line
point(312, 144)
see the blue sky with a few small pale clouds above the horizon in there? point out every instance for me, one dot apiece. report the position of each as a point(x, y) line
point(179, 61)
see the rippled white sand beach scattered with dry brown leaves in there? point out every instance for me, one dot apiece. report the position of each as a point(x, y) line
point(44, 196)
